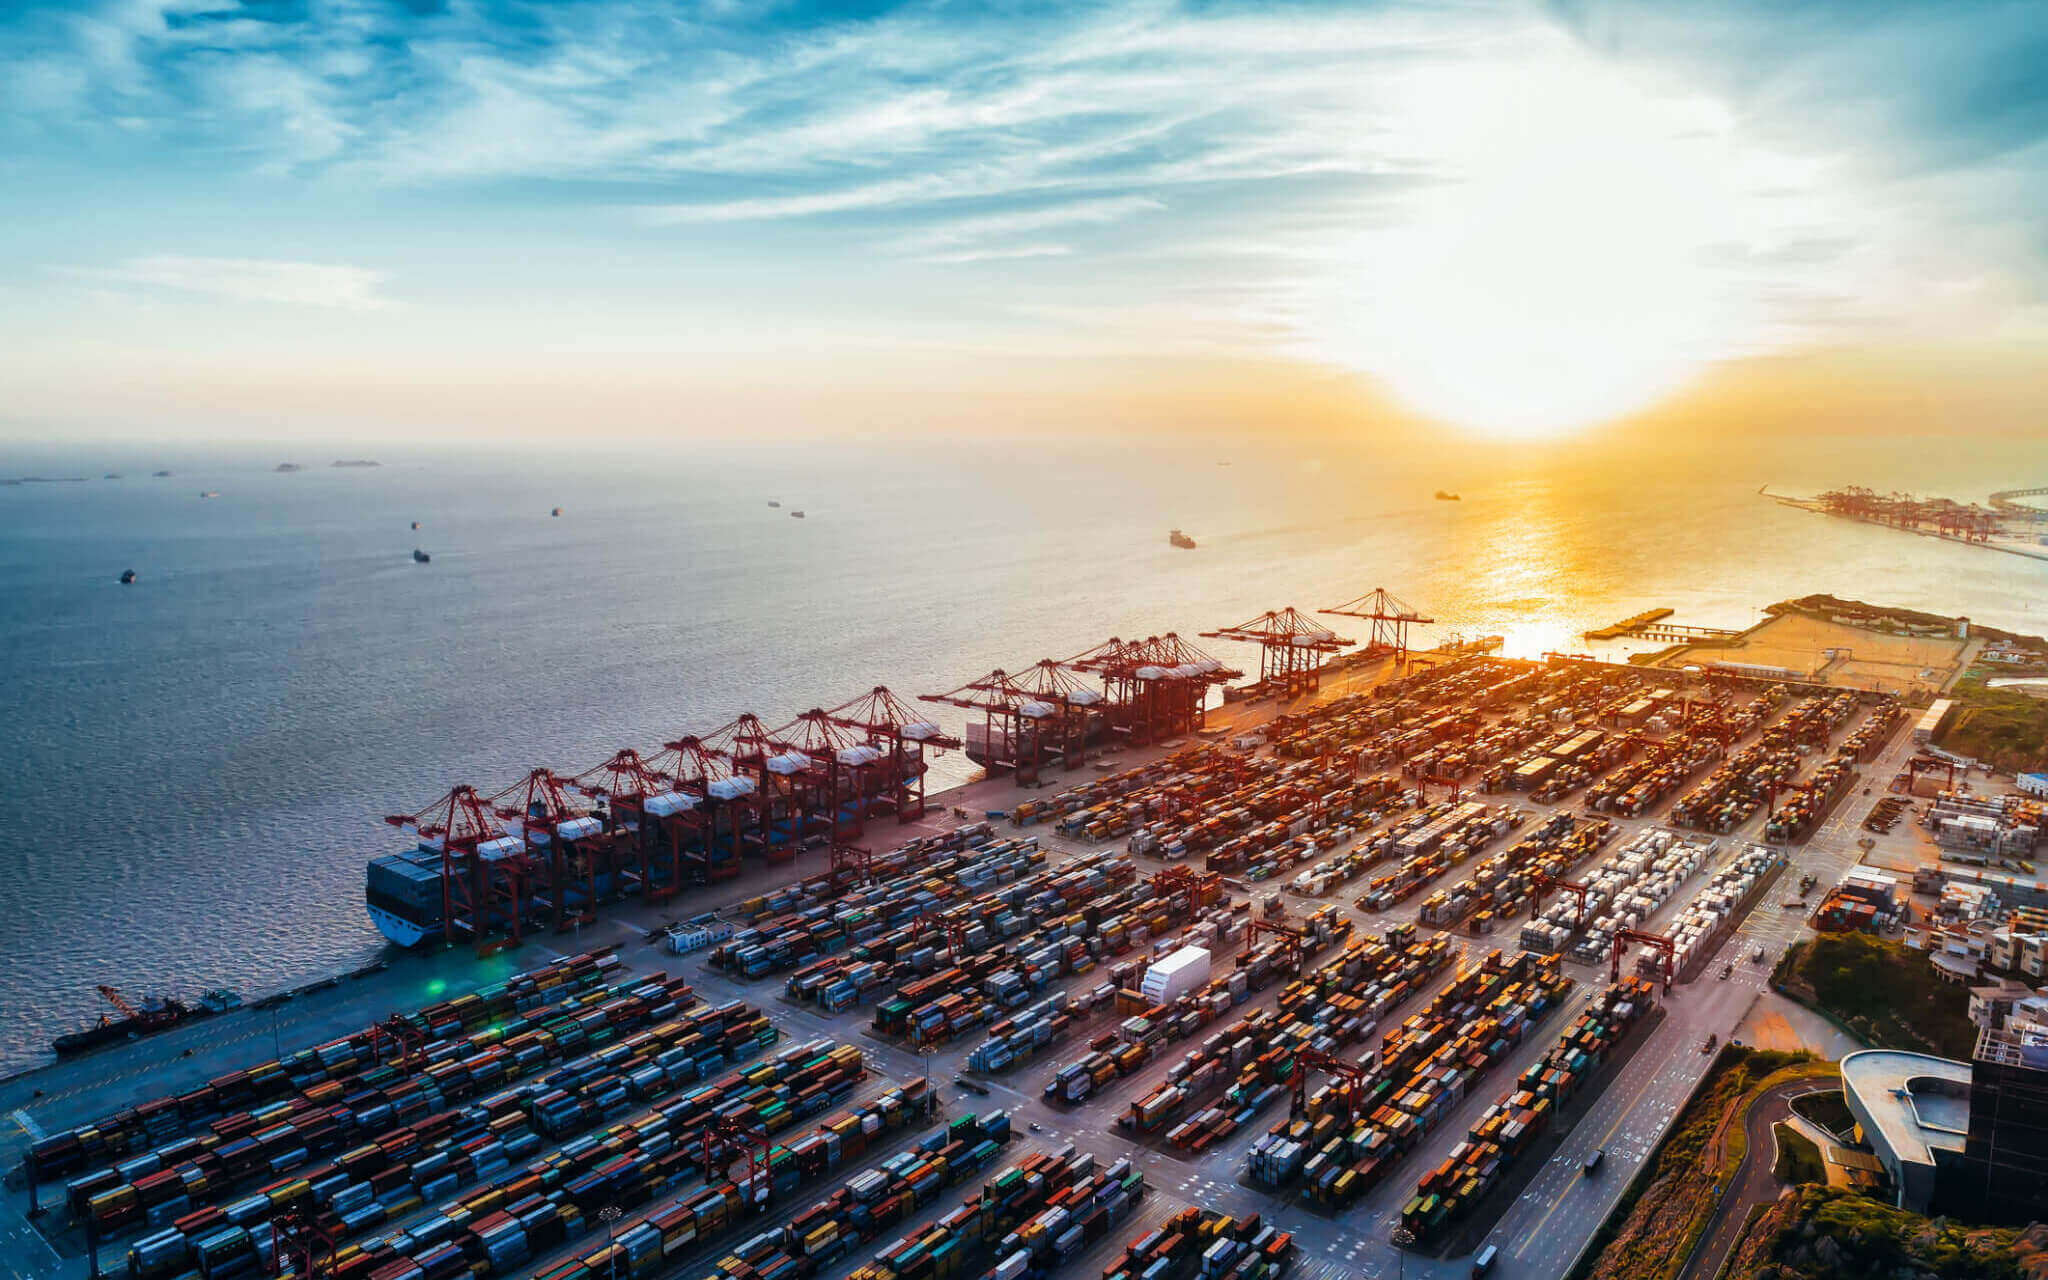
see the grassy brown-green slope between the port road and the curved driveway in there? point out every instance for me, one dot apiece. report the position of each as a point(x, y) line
point(1672, 1201)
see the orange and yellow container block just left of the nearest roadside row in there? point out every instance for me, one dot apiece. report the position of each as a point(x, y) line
point(1355, 1134)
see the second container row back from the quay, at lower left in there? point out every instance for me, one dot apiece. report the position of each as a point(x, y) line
point(280, 1138)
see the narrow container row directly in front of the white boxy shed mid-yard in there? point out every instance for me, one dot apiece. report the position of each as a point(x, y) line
point(1140, 1037)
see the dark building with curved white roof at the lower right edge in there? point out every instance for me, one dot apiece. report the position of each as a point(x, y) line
point(1959, 1140)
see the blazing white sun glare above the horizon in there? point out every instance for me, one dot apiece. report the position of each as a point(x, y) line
point(1558, 267)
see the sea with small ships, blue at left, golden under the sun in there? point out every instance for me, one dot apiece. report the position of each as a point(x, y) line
point(202, 761)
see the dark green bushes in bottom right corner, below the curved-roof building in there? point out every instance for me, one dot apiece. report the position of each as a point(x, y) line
point(1826, 1234)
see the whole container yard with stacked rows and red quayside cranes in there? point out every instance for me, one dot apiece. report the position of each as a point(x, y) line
point(1164, 1058)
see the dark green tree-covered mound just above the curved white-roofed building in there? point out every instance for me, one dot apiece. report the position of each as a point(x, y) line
point(1885, 994)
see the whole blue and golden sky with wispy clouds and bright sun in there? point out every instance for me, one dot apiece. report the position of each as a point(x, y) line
point(1504, 220)
